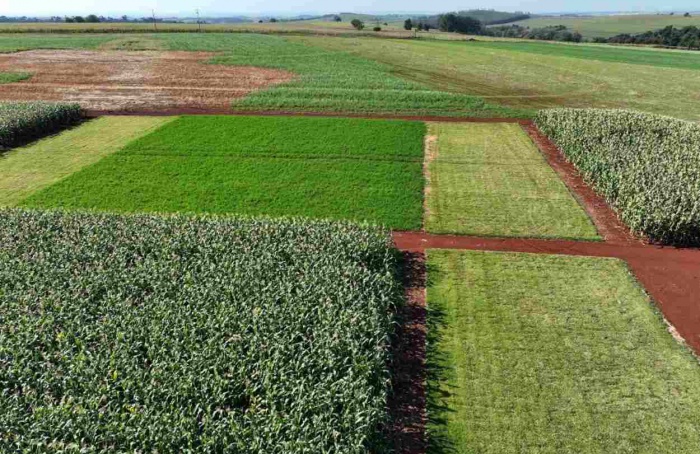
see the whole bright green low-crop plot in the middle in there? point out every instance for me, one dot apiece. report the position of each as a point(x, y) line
point(316, 167)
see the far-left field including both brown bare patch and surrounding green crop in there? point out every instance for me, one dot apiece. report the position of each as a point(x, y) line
point(253, 72)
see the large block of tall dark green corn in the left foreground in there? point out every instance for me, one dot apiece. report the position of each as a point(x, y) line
point(176, 334)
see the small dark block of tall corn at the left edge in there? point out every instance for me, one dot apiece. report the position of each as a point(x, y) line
point(23, 121)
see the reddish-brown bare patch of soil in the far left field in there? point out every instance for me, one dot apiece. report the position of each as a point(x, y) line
point(133, 81)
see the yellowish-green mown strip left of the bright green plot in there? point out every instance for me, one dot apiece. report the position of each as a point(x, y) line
point(26, 170)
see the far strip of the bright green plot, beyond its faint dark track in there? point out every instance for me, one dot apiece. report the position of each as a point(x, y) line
point(285, 136)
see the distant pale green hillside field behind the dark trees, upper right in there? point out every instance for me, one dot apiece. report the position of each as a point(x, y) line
point(606, 26)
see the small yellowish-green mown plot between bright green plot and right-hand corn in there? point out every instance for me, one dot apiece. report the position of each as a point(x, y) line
point(490, 179)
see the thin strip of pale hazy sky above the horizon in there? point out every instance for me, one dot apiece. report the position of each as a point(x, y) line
point(186, 7)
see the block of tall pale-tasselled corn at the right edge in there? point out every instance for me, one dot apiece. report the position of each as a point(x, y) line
point(646, 166)
